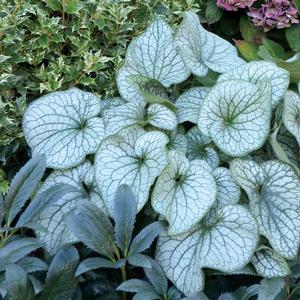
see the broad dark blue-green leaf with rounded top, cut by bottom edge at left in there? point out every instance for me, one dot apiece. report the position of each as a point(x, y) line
point(60, 281)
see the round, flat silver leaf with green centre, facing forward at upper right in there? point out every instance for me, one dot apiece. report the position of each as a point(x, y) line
point(236, 114)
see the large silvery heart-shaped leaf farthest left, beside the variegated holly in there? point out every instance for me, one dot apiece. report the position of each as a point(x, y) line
point(64, 126)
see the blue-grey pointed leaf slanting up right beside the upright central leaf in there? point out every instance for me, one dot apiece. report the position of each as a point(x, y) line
point(146, 237)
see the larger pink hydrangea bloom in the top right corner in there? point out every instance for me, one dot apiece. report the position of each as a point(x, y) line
point(274, 14)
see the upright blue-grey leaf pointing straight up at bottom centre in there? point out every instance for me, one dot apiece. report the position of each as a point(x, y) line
point(124, 216)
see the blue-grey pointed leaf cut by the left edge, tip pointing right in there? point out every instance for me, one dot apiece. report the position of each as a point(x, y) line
point(17, 249)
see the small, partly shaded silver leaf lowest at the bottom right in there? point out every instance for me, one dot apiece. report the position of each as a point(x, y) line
point(270, 264)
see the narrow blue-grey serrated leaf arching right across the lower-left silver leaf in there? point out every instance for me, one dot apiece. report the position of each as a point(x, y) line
point(42, 201)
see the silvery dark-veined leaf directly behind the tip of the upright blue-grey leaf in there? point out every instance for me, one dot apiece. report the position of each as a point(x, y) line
point(133, 157)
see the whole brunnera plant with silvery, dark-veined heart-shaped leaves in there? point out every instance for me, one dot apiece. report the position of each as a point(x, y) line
point(190, 157)
